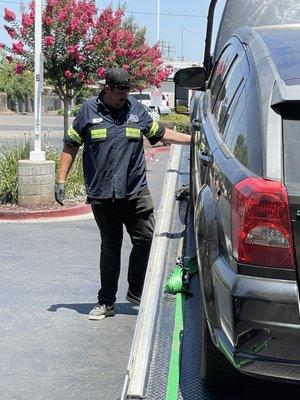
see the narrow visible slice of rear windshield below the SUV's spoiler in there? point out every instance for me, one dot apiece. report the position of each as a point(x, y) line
point(291, 143)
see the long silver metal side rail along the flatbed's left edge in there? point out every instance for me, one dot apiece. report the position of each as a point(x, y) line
point(167, 244)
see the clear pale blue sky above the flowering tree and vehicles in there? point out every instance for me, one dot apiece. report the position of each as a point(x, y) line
point(181, 29)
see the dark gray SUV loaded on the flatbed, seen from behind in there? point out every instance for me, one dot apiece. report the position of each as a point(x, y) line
point(245, 189)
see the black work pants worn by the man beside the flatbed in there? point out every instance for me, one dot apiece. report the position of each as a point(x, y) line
point(137, 216)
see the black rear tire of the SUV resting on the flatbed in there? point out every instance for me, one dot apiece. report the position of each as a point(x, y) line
point(216, 370)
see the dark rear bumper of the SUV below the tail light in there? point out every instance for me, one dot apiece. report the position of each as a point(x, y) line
point(259, 323)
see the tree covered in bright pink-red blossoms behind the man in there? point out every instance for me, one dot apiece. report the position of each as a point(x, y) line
point(80, 43)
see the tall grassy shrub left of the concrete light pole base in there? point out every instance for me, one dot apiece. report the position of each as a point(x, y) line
point(9, 158)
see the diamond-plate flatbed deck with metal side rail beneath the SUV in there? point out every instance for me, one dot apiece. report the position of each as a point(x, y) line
point(164, 362)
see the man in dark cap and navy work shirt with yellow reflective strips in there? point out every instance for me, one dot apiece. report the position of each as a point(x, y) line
point(111, 127)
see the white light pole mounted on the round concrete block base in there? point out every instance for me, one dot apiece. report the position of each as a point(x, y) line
point(38, 154)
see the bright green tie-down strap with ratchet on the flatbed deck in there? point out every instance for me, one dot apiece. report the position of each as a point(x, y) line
point(177, 284)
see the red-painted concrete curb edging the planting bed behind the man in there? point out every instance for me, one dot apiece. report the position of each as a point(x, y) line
point(79, 209)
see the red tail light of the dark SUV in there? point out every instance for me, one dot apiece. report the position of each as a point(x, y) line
point(261, 224)
